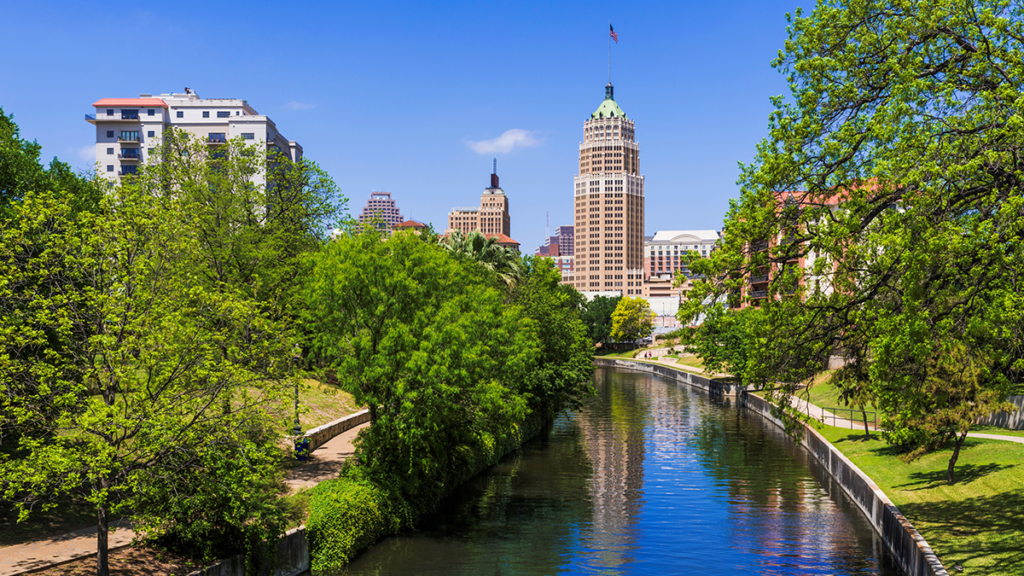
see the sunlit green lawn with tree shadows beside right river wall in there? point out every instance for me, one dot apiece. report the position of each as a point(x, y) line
point(978, 522)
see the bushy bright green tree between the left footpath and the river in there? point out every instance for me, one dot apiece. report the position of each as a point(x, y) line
point(426, 342)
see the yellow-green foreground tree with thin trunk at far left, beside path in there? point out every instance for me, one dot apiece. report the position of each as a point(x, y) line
point(135, 400)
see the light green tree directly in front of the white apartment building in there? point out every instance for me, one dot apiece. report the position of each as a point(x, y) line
point(253, 213)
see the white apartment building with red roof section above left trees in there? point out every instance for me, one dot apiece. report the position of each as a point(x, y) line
point(129, 129)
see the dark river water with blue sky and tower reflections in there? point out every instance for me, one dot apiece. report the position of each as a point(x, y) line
point(650, 478)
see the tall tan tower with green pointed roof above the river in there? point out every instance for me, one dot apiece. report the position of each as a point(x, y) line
point(610, 205)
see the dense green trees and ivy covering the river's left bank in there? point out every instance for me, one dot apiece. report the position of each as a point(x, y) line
point(460, 349)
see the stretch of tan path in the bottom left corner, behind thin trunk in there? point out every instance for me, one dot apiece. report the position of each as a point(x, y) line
point(59, 550)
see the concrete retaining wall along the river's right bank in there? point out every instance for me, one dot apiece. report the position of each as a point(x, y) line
point(907, 545)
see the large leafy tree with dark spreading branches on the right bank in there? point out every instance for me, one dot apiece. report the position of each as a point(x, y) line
point(893, 174)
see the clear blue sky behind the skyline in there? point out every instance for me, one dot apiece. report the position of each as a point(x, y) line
point(396, 96)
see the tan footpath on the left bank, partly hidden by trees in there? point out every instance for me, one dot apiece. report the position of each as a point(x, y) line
point(325, 463)
